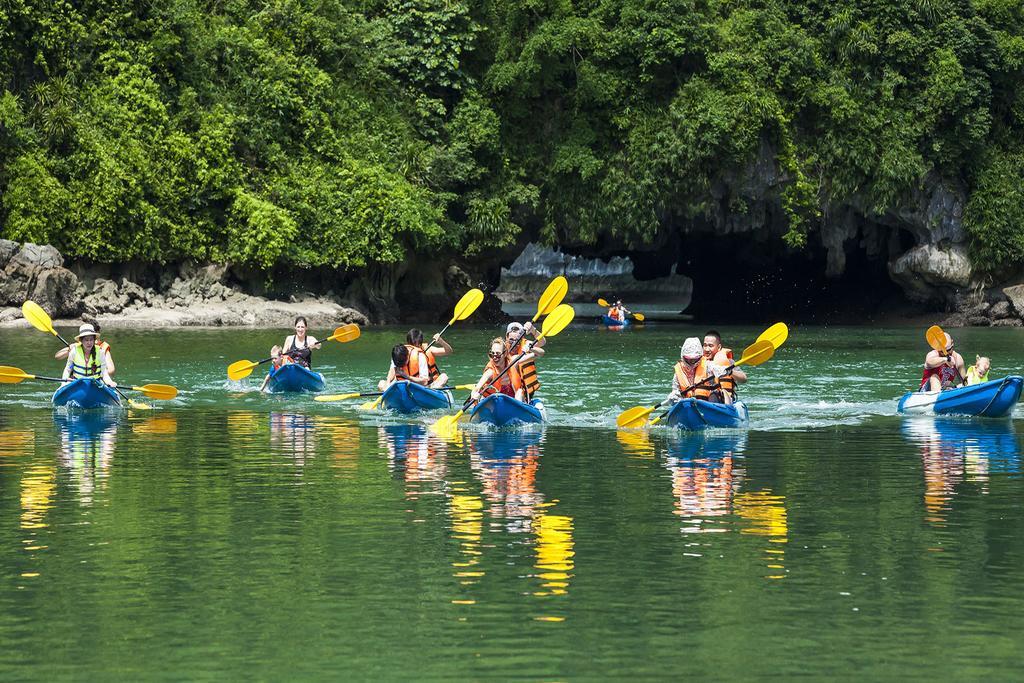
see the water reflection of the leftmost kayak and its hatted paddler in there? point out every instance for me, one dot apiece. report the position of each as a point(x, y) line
point(88, 443)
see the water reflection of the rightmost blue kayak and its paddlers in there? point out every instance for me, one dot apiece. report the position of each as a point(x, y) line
point(954, 451)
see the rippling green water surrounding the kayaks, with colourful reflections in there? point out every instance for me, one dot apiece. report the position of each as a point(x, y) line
point(234, 535)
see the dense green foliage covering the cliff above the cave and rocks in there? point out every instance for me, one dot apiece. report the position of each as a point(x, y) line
point(314, 133)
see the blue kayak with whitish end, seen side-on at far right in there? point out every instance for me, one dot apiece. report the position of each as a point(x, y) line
point(988, 400)
